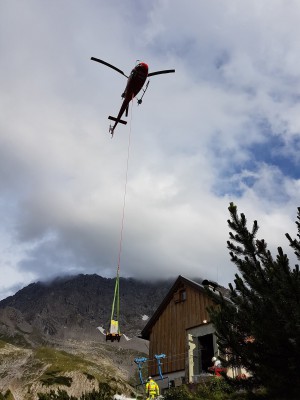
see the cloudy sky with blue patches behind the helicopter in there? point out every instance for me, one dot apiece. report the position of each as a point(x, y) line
point(225, 127)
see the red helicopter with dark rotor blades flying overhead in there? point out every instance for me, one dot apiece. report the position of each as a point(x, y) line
point(135, 83)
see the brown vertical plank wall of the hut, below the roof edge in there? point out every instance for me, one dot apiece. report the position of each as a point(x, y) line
point(168, 334)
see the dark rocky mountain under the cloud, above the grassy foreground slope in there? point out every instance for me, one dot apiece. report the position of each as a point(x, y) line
point(73, 307)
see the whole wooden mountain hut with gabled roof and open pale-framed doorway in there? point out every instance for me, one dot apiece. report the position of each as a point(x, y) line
point(180, 329)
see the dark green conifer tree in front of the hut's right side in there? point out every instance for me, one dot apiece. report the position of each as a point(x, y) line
point(258, 326)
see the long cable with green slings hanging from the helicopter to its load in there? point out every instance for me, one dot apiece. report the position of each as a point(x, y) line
point(116, 300)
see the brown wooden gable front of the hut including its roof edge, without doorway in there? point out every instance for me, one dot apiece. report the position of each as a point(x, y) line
point(183, 308)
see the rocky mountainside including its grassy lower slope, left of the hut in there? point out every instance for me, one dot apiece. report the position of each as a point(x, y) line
point(49, 337)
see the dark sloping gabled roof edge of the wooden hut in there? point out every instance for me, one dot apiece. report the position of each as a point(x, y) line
point(179, 281)
